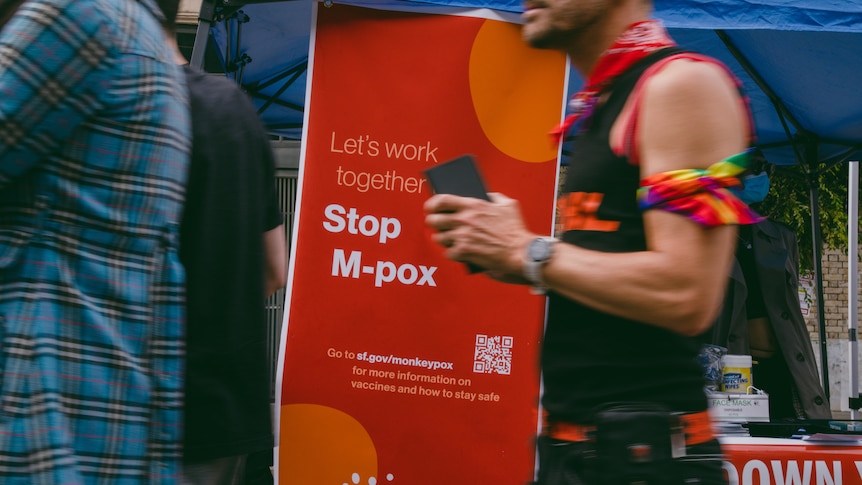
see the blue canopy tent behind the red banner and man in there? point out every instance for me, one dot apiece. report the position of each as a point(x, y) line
point(799, 61)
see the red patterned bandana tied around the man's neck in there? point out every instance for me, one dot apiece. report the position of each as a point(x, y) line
point(638, 41)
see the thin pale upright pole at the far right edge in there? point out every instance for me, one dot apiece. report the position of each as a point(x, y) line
point(853, 284)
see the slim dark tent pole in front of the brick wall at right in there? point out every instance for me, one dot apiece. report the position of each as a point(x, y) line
point(814, 191)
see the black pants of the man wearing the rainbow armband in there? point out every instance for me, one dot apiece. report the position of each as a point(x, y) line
point(568, 463)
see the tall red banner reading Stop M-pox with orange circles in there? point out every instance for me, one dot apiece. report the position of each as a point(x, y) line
point(397, 365)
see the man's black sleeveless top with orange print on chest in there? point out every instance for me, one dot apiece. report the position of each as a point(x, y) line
point(591, 358)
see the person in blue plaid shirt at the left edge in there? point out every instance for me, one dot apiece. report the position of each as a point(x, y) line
point(94, 148)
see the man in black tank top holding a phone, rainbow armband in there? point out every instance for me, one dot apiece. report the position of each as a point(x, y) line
point(647, 234)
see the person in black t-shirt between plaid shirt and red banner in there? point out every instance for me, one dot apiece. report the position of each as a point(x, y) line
point(232, 244)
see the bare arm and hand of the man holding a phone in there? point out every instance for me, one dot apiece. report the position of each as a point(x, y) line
point(690, 117)
